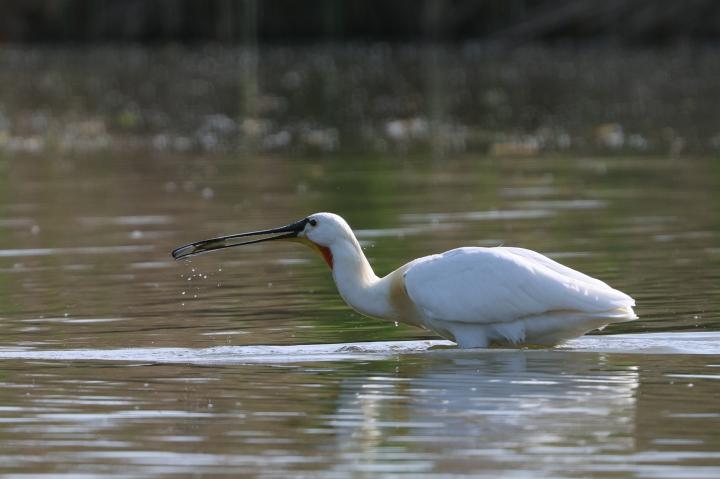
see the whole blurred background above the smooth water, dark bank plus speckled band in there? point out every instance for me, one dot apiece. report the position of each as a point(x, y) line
point(505, 78)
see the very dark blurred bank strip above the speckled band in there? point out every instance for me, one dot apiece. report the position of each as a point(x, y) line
point(638, 22)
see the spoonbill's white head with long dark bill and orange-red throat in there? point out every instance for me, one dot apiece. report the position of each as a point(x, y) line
point(320, 231)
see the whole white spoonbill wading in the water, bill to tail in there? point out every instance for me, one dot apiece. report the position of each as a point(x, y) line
point(473, 296)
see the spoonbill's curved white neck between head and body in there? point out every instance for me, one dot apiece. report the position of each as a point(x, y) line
point(356, 281)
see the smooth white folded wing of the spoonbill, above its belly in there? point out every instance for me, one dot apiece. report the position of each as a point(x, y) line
point(492, 285)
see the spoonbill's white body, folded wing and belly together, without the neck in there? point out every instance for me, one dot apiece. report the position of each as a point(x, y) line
point(476, 296)
